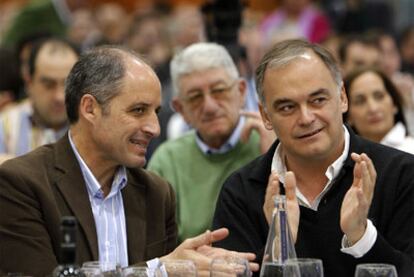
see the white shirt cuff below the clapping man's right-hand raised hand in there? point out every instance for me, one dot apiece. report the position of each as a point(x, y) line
point(361, 247)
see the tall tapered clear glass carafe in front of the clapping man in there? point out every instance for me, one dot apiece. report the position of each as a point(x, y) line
point(279, 245)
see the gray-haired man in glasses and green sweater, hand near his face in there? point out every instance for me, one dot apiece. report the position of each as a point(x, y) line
point(209, 94)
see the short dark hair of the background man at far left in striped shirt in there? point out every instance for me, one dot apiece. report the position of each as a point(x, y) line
point(58, 43)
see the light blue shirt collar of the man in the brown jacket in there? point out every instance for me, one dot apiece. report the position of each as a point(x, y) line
point(92, 184)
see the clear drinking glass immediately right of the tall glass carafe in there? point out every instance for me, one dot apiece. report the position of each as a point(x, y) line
point(303, 267)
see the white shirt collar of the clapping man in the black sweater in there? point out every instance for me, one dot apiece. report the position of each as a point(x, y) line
point(278, 164)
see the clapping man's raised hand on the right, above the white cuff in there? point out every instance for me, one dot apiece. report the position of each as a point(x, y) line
point(357, 200)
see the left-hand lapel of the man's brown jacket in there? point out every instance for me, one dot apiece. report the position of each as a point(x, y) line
point(71, 184)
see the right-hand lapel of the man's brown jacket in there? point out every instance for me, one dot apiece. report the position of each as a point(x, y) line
point(135, 207)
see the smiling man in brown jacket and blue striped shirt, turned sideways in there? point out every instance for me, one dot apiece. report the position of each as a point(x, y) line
point(126, 215)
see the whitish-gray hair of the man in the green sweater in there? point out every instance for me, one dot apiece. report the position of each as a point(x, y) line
point(199, 57)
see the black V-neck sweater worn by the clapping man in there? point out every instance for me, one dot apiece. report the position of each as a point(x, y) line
point(240, 209)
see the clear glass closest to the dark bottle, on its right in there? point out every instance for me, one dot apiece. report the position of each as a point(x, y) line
point(101, 269)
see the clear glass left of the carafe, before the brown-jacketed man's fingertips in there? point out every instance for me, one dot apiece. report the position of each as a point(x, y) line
point(229, 266)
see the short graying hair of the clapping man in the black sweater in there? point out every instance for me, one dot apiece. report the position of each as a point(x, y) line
point(285, 52)
